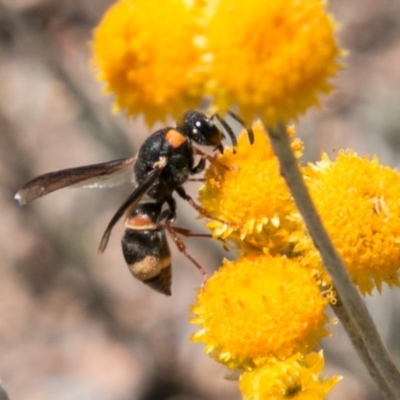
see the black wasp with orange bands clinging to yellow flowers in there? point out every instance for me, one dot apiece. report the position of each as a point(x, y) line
point(165, 161)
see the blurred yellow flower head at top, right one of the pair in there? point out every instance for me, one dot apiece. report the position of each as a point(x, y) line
point(271, 58)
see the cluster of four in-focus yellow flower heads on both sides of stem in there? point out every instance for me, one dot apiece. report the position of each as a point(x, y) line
point(258, 312)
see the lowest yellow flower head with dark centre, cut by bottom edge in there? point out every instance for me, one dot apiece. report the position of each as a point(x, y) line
point(298, 378)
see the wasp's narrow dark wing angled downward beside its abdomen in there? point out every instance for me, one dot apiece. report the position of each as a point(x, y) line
point(130, 203)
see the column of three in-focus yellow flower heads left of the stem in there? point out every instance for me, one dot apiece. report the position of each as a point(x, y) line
point(263, 313)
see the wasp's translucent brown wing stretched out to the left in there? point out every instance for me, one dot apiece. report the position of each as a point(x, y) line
point(110, 173)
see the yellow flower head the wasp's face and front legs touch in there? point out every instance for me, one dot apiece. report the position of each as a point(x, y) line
point(252, 197)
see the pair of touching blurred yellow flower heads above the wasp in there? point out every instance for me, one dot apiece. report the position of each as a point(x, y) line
point(161, 58)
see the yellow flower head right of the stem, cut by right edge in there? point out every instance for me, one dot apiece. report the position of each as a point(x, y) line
point(358, 201)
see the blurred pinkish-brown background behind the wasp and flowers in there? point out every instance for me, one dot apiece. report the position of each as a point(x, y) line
point(76, 325)
